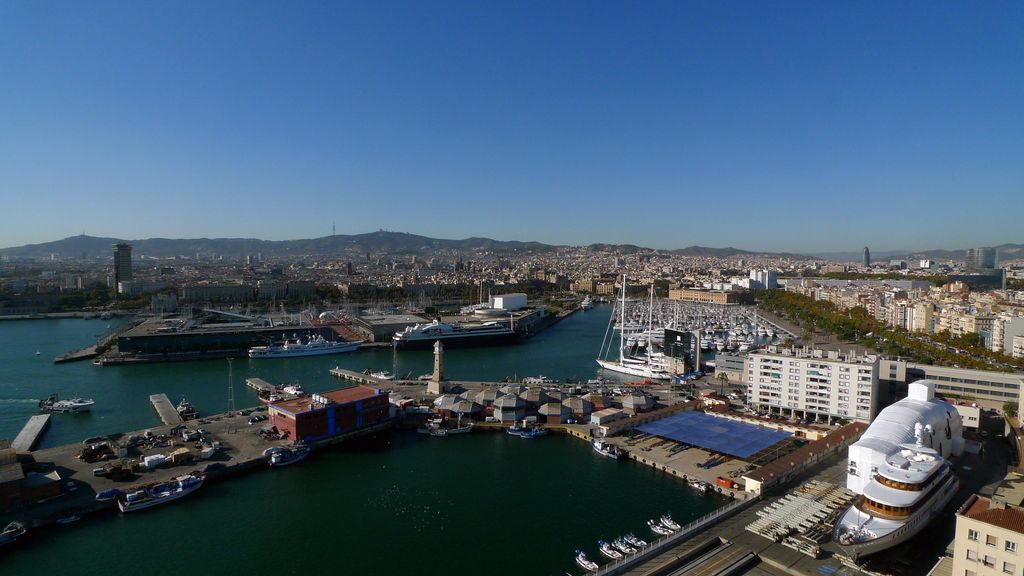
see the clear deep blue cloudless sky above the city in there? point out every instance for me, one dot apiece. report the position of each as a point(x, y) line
point(797, 127)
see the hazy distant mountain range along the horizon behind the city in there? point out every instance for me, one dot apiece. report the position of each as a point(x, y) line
point(410, 244)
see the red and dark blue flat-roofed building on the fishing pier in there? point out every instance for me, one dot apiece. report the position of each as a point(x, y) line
point(331, 414)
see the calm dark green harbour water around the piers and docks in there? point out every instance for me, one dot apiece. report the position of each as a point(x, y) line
point(398, 504)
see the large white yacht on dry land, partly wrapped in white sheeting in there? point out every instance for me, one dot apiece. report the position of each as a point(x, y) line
point(900, 468)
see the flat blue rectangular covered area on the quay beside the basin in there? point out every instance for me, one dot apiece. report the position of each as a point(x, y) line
point(717, 435)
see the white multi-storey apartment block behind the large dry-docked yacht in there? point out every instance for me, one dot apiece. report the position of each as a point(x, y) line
point(814, 384)
